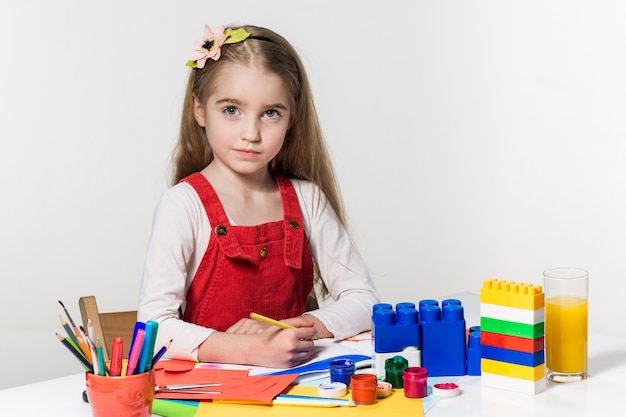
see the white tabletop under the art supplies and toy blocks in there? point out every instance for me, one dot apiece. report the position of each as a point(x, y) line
point(602, 393)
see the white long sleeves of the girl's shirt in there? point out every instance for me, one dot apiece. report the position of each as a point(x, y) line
point(180, 237)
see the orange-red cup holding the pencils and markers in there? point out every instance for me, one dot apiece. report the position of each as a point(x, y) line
point(126, 396)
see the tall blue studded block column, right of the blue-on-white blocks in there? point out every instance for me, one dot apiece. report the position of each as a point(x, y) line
point(444, 349)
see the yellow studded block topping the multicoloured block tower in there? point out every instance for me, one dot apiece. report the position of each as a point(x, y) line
point(512, 294)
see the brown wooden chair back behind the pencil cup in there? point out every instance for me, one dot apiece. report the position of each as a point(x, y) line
point(108, 326)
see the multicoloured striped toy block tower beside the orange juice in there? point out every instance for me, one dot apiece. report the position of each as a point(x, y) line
point(512, 336)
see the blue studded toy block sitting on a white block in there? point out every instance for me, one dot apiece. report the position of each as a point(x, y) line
point(394, 331)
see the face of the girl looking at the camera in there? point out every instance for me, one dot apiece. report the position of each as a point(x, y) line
point(245, 117)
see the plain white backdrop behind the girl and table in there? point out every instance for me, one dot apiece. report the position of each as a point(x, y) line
point(472, 139)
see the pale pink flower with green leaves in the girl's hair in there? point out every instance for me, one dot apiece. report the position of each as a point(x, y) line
point(210, 45)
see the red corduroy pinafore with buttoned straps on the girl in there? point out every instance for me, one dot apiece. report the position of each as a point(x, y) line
point(266, 269)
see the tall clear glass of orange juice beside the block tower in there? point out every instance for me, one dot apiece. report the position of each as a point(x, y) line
point(566, 303)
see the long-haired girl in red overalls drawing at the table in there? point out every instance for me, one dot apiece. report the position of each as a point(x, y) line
point(254, 214)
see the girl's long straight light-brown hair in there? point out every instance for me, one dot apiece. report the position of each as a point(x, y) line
point(304, 154)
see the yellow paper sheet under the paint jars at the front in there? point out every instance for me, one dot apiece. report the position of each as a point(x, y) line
point(395, 405)
